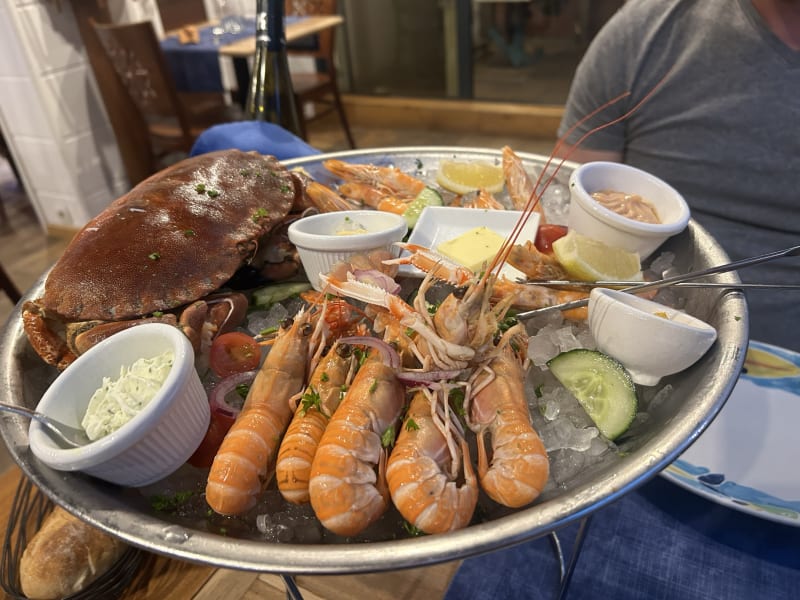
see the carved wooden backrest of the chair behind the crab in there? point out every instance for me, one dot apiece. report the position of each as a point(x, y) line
point(139, 62)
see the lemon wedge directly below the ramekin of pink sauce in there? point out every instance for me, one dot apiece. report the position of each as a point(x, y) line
point(587, 259)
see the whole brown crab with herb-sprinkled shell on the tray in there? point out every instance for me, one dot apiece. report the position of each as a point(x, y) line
point(160, 251)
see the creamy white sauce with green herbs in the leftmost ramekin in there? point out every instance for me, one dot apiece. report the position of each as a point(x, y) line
point(119, 400)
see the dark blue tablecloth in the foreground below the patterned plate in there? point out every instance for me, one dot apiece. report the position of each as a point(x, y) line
point(658, 542)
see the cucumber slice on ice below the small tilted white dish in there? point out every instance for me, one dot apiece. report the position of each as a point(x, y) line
point(602, 386)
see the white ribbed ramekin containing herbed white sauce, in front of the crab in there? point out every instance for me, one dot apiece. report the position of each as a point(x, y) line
point(157, 440)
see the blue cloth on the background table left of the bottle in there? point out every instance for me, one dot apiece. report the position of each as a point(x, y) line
point(195, 67)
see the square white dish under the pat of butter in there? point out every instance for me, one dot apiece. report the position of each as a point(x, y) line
point(439, 224)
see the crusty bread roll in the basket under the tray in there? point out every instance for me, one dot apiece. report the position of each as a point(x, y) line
point(65, 556)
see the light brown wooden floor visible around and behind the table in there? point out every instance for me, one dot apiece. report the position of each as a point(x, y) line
point(26, 252)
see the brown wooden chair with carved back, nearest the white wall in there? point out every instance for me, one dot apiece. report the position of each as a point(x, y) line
point(168, 122)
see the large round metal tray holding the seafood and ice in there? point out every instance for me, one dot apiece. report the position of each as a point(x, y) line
point(698, 395)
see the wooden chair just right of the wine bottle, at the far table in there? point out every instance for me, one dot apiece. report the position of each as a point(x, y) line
point(320, 87)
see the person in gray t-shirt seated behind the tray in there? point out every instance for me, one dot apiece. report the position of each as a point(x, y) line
point(723, 127)
